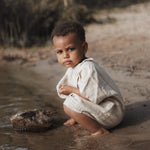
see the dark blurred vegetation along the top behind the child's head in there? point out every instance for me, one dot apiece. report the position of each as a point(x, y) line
point(25, 23)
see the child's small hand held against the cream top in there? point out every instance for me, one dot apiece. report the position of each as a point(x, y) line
point(66, 89)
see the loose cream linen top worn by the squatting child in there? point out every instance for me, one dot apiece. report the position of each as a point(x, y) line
point(93, 82)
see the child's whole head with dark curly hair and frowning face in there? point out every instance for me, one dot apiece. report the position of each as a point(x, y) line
point(69, 42)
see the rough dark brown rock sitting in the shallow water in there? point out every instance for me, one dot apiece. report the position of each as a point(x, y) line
point(35, 120)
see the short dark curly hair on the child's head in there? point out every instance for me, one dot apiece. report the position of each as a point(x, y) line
point(69, 27)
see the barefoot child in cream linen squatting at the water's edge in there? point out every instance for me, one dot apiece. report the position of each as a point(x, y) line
point(91, 97)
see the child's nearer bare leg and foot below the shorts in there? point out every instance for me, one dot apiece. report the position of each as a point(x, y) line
point(88, 123)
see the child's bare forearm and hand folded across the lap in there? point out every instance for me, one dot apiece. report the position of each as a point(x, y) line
point(66, 90)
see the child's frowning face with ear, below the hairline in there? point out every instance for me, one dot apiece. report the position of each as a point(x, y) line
point(69, 49)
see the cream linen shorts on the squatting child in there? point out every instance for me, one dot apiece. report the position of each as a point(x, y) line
point(109, 113)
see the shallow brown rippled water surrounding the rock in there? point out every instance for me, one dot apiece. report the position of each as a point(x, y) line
point(16, 96)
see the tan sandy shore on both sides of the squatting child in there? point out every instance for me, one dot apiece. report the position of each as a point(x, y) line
point(123, 49)
